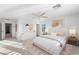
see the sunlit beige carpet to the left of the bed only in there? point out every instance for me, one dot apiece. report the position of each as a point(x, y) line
point(13, 47)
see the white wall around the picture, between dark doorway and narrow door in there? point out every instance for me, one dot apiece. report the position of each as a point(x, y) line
point(22, 33)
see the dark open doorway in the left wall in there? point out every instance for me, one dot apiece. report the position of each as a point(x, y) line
point(8, 30)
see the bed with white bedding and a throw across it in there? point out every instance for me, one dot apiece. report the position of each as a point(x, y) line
point(52, 44)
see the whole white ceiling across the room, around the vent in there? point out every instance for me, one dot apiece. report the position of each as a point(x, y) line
point(16, 10)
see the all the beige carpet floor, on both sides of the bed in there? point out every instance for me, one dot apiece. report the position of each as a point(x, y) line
point(15, 47)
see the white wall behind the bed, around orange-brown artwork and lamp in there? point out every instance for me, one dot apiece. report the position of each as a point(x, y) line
point(68, 23)
